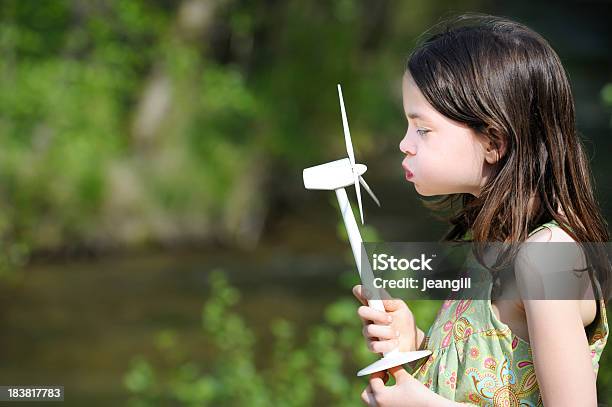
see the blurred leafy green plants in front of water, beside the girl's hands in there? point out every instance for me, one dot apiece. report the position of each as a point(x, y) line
point(312, 368)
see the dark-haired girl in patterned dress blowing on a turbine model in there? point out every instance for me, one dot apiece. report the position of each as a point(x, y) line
point(491, 126)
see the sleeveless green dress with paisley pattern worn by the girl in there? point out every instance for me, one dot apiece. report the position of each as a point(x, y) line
point(477, 360)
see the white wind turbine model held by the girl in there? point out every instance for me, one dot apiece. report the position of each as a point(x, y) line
point(337, 175)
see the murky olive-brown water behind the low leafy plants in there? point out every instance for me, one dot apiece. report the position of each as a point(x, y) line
point(80, 323)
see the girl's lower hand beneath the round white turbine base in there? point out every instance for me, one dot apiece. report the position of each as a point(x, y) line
point(406, 392)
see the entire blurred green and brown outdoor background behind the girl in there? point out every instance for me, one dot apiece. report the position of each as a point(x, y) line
point(157, 246)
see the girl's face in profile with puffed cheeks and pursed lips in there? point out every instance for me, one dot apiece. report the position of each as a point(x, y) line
point(443, 156)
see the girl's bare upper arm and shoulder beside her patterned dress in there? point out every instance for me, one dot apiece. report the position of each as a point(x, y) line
point(561, 353)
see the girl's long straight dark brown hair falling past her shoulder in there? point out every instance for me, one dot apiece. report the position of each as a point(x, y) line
point(504, 80)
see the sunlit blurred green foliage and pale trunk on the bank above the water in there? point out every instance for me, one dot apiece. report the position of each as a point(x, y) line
point(72, 169)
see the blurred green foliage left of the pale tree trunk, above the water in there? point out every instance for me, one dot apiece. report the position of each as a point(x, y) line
point(68, 83)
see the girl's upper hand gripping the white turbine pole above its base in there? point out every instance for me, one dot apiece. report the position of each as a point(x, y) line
point(385, 331)
